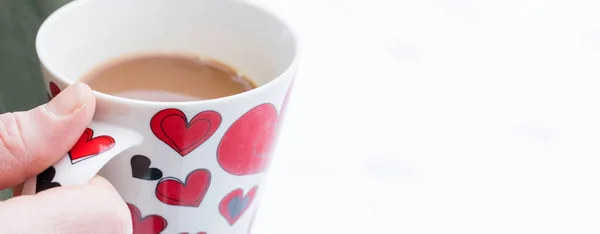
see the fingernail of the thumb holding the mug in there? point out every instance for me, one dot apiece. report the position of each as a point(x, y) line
point(68, 101)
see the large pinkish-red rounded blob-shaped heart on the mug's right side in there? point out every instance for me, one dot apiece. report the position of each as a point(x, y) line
point(245, 147)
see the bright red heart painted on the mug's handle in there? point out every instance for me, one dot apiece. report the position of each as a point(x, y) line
point(88, 147)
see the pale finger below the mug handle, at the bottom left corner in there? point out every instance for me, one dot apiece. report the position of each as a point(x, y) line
point(90, 209)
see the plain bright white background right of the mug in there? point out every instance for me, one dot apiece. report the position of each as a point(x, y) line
point(440, 116)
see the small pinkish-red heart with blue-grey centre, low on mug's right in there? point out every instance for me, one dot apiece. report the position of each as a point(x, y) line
point(235, 204)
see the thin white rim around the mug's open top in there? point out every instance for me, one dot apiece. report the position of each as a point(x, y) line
point(111, 98)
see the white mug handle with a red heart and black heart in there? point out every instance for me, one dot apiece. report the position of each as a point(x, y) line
point(99, 143)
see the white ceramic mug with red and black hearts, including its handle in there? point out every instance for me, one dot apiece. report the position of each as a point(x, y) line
point(182, 167)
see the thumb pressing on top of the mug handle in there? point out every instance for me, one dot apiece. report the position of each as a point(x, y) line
point(31, 141)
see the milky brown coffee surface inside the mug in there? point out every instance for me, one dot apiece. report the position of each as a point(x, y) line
point(167, 78)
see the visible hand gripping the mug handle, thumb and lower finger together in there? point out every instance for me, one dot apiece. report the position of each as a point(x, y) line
point(32, 141)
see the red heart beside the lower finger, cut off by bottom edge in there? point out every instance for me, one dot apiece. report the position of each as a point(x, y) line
point(151, 224)
